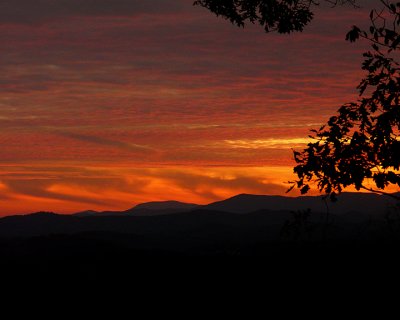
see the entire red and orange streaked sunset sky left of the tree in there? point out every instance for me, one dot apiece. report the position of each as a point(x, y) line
point(108, 103)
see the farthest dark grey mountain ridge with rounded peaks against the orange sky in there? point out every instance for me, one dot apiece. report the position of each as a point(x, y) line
point(365, 203)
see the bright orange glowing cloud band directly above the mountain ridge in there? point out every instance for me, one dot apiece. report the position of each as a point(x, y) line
point(71, 189)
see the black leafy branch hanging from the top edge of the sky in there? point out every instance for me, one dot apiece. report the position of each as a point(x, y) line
point(283, 16)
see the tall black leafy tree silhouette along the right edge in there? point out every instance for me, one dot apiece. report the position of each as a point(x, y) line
point(361, 144)
